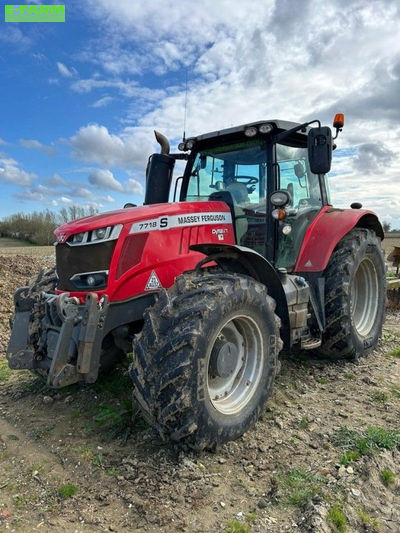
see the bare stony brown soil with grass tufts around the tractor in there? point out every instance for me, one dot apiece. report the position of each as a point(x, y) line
point(324, 456)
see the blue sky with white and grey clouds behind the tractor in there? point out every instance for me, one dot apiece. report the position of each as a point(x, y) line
point(80, 100)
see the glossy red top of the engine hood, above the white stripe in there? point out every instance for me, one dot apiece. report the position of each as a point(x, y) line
point(135, 214)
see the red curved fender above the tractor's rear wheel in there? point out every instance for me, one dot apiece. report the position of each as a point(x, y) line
point(323, 234)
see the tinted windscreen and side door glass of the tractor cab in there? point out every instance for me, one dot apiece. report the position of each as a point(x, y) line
point(237, 174)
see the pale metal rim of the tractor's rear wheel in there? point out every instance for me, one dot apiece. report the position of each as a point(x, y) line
point(364, 296)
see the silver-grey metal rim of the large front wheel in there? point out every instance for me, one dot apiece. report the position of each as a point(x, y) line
point(235, 365)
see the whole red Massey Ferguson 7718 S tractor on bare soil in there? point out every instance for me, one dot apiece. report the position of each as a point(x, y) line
point(221, 269)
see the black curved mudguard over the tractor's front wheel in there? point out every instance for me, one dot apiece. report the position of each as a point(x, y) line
point(246, 261)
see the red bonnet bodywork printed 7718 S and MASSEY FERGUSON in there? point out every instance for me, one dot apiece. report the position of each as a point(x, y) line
point(154, 238)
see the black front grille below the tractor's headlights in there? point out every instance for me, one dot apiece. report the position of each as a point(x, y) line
point(71, 260)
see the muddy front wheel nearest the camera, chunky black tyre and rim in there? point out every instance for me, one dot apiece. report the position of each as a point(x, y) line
point(205, 362)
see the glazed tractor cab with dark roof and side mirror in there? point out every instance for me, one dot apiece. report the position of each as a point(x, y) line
point(244, 167)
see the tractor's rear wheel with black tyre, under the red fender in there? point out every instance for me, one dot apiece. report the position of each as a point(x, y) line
point(355, 296)
